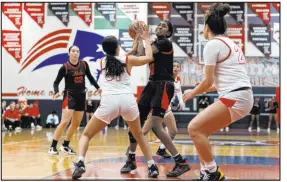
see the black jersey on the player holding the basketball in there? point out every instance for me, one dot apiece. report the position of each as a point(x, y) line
point(161, 69)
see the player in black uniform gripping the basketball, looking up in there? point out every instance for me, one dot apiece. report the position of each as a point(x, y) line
point(156, 96)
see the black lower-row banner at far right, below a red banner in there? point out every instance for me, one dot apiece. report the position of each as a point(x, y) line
point(259, 35)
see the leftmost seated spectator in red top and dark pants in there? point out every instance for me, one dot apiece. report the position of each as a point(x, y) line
point(12, 118)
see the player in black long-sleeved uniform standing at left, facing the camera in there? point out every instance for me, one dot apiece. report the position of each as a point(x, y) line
point(74, 72)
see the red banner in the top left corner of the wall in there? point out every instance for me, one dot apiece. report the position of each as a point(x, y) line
point(14, 12)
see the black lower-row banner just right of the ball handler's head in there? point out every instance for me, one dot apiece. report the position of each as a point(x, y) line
point(183, 37)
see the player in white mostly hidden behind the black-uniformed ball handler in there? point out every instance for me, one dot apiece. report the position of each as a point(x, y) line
point(176, 104)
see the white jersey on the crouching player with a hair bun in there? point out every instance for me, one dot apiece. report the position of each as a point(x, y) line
point(231, 68)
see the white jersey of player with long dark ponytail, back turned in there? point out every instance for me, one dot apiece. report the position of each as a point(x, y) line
point(116, 85)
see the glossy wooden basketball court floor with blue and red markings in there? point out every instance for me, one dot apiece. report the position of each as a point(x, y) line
point(240, 154)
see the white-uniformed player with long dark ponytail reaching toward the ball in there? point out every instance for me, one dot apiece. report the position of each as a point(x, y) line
point(117, 99)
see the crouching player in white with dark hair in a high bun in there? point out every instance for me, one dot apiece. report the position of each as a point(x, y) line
point(226, 72)
